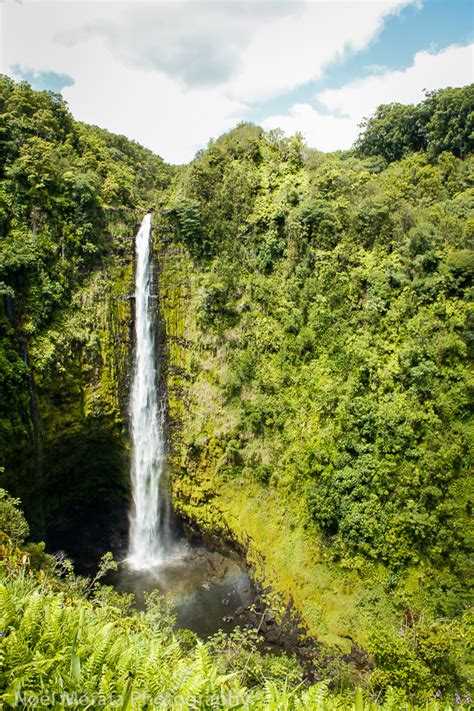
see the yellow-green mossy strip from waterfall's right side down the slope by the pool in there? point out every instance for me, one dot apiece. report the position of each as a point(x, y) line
point(270, 530)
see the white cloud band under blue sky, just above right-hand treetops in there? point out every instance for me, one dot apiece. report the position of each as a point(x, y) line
point(345, 107)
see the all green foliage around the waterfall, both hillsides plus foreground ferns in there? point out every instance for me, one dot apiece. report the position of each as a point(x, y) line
point(325, 367)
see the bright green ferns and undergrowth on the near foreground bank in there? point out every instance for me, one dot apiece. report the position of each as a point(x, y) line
point(67, 642)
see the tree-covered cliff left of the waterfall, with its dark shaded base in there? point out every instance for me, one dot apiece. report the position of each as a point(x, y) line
point(69, 197)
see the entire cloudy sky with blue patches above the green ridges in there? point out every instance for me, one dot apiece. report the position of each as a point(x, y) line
point(174, 74)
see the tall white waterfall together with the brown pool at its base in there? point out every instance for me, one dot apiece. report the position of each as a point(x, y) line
point(206, 588)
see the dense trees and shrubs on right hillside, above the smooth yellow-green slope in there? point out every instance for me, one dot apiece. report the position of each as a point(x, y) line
point(335, 291)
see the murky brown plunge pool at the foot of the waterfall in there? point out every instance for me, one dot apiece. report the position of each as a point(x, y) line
point(205, 588)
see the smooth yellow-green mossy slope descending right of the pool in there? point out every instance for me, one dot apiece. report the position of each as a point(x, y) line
point(338, 606)
